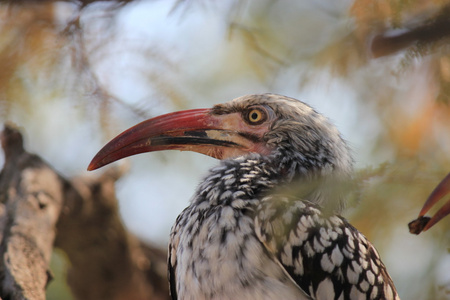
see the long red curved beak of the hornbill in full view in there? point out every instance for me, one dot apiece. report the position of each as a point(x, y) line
point(198, 130)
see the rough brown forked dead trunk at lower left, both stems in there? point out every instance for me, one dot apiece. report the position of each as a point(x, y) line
point(41, 209)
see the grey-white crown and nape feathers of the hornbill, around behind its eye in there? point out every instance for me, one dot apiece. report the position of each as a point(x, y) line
point(307, 146)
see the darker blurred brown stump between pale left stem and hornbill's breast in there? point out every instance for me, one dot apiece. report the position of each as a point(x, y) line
point(107, 262)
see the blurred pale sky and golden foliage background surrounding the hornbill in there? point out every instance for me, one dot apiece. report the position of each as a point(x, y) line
point(153, 57)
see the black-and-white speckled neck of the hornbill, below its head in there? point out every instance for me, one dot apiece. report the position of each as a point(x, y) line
point(242, 180)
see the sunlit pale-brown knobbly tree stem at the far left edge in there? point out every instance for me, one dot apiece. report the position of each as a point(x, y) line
point(32, 203)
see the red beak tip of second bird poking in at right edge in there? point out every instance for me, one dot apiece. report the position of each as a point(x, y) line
point(438, 193)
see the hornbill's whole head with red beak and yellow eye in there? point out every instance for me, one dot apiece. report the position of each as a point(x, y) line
point(288, 130)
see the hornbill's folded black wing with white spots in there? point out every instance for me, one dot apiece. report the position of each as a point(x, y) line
point(326, 256)
